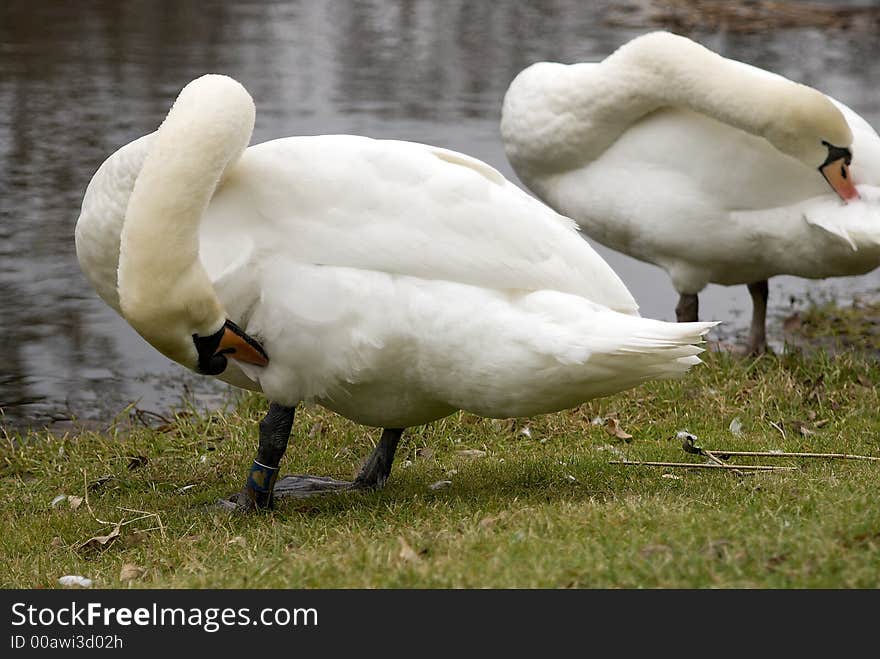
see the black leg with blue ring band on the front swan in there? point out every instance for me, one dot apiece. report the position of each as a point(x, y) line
point(274, 435)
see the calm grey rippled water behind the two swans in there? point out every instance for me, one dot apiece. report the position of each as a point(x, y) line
point(79, 79)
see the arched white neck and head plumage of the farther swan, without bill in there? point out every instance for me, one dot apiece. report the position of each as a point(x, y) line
point(557, 117)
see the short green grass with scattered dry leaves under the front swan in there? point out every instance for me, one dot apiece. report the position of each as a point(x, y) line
point(541, 511)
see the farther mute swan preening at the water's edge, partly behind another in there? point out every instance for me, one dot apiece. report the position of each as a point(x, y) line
point(712, 169)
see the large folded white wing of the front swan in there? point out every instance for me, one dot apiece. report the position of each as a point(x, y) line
point(402, 208)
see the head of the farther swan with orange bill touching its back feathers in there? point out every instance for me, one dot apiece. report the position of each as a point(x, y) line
point(813, 130)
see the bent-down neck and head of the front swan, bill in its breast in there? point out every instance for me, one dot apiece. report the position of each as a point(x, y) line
point(164, 291)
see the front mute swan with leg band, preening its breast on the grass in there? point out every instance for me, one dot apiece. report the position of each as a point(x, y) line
point(389, 281)
